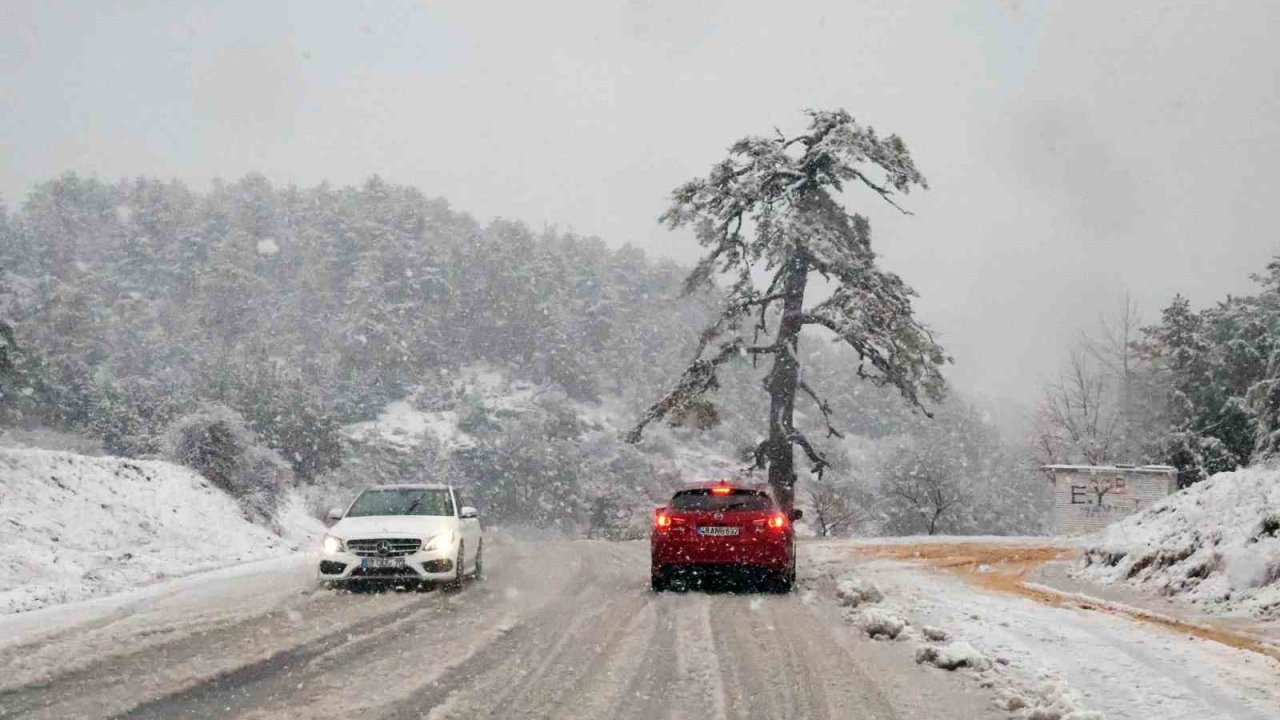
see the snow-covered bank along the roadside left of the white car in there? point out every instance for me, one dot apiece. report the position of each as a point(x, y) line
point(75, 527)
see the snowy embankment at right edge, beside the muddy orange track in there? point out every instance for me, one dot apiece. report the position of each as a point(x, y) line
point(1217, 545)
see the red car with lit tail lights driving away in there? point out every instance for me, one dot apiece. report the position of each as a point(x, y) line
point(724, 526)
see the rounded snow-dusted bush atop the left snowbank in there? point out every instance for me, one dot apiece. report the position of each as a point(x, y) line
point(216, 443)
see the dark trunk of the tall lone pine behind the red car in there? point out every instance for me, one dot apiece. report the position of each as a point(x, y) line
point(783, 382)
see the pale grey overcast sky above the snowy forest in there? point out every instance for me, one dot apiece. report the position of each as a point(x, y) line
point(1075, 151)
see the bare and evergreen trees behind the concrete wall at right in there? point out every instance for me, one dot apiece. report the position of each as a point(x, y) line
point(1199, 390)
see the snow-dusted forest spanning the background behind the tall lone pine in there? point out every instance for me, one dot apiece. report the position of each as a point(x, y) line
point(154, 320)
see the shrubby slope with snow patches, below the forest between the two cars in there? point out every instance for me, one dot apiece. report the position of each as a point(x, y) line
point(533, 459)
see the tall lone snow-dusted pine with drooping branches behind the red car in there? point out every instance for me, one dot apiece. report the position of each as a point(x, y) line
point(771, 211)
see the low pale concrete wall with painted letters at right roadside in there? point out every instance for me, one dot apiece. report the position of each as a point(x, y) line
point(1090, 499)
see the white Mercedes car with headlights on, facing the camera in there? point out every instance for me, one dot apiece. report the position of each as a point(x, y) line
point(404, 534)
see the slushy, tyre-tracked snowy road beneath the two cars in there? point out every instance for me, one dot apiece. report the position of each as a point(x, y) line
point(557, 631)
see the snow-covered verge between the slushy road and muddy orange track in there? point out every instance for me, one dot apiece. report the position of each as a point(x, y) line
point(1048, 662)
